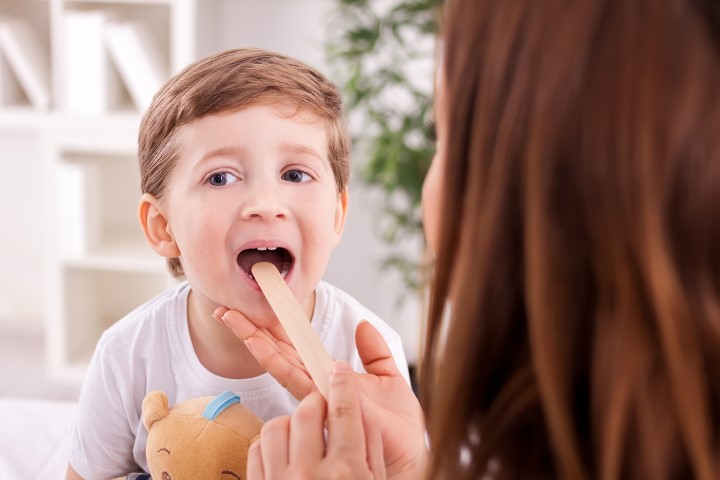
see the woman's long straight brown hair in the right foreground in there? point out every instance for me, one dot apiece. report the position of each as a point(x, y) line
point(574, 324)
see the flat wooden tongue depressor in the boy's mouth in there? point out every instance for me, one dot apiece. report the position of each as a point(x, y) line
point(296, 324)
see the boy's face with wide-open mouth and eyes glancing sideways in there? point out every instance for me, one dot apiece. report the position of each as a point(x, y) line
point(249, 186)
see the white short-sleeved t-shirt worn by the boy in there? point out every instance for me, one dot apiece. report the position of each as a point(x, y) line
point(150, 349)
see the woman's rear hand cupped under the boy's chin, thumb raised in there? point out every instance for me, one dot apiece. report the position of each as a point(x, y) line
point(388, 401)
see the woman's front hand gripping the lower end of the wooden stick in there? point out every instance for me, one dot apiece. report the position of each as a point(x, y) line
point(294, 446)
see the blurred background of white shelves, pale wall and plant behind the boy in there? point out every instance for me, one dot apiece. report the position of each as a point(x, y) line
point(75, 76)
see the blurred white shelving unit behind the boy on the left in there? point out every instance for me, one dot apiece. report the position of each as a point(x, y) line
point(101, 267)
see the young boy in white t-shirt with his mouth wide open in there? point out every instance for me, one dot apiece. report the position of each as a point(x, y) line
point(243, 157)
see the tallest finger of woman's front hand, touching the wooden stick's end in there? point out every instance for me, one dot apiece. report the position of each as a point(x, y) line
point(345, 427)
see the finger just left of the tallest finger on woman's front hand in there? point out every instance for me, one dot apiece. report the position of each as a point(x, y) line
point(307, 439)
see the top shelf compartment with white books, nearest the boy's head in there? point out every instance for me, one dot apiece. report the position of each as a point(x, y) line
point(115, 55)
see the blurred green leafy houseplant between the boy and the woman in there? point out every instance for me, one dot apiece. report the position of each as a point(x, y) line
point(382, 55)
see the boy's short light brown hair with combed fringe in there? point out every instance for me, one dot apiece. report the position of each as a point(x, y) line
point(230, 81)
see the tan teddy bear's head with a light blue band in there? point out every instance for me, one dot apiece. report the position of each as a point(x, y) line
point(200, 438)
